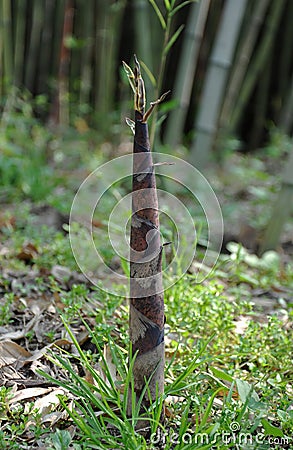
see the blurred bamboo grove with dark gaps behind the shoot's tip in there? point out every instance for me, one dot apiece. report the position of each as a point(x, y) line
point(69, 51)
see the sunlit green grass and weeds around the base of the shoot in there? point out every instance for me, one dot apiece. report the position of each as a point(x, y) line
point(216, 377)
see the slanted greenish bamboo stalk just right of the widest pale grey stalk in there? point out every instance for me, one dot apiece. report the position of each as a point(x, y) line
point(241, 63)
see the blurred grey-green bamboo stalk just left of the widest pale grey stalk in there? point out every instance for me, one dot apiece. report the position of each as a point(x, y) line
point(186, 69)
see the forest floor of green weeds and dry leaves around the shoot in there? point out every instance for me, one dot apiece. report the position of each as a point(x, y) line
point(242, 314)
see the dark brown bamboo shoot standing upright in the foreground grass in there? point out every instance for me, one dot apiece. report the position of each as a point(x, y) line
point(146, 316)
